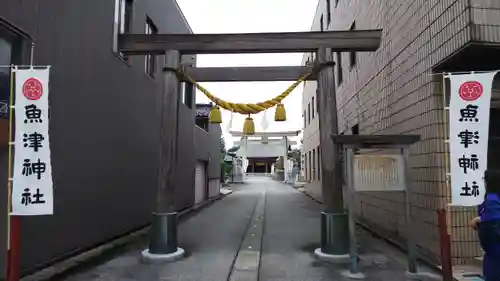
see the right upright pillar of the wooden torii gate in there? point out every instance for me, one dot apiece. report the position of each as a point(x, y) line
point(334, 219)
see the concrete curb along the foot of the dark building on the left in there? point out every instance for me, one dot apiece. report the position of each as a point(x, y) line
point(72, 263)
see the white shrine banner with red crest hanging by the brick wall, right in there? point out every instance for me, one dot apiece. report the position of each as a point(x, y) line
point(469, 127)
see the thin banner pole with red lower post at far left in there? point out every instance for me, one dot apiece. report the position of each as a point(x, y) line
point(13, 223)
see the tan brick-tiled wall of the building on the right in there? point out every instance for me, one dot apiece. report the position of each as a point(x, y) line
point(396, 90)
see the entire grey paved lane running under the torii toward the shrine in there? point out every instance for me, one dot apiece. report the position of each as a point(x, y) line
point(264, 231)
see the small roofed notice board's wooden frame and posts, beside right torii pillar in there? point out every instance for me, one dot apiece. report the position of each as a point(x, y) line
point(350, 143)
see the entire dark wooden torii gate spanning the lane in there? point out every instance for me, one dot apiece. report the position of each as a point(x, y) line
point(334, 230)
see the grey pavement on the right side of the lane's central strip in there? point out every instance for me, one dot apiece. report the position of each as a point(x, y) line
point(292, 234)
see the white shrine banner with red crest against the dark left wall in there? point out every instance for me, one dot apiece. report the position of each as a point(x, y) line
point(32, 192)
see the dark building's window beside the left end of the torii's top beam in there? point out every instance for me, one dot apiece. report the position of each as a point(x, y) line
point(124, 11)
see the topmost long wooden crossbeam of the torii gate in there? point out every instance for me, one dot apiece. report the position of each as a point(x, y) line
point(289, 42)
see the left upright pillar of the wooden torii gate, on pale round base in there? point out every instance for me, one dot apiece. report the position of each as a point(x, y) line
point(163, 231)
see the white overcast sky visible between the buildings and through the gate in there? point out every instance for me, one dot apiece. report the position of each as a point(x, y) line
point(248, 16)
